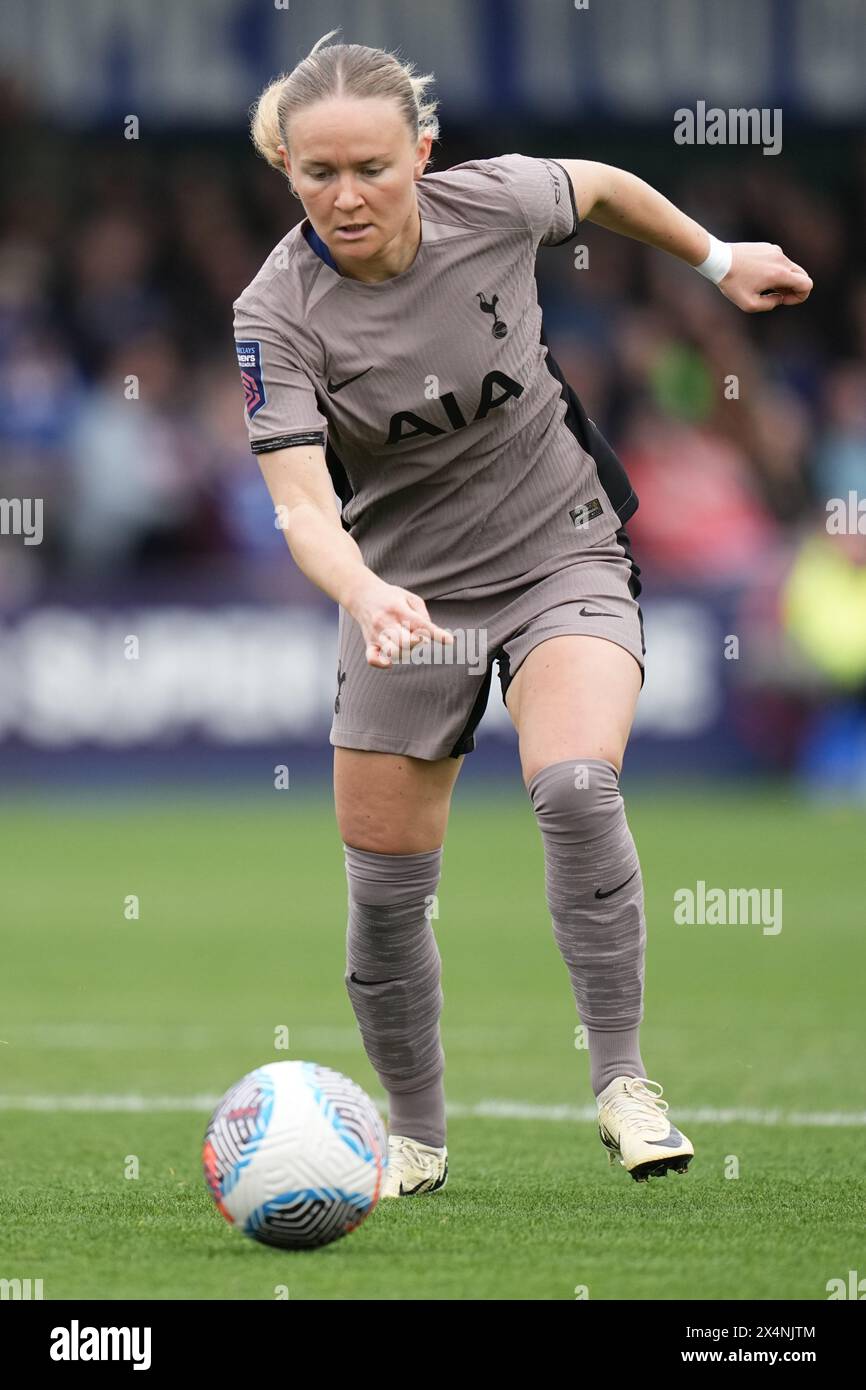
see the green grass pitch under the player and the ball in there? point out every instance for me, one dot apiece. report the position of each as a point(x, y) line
point(243, 931)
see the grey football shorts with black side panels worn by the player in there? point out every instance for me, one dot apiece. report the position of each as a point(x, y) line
point(432, 708)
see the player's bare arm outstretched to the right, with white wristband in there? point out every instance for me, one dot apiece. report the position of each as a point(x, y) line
point(761, 276)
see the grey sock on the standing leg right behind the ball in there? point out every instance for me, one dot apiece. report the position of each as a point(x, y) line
point(394, 983)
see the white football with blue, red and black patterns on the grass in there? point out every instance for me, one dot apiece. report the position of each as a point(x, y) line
point(295, 1154)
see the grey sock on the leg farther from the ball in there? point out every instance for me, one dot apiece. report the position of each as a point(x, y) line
point(596, 896)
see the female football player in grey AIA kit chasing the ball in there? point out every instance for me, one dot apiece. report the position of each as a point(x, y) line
point(393, 351)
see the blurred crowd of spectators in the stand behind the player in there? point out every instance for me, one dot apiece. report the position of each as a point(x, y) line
point(120, 402)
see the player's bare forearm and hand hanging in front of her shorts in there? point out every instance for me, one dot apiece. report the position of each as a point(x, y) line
point(305, 505)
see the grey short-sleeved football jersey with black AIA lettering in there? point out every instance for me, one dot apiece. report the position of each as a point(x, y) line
point(452, 439)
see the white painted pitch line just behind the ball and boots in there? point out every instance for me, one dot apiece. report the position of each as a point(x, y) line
point(483, 1110)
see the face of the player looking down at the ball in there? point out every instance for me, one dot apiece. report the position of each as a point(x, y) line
point(354, 166)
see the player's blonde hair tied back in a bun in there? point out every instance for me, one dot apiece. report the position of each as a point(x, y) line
point(340, 70)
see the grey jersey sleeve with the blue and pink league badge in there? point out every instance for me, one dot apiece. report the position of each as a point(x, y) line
point(280, 404)
